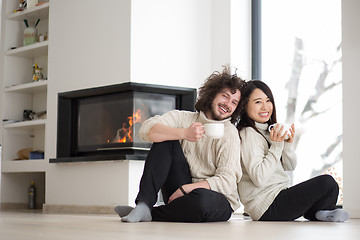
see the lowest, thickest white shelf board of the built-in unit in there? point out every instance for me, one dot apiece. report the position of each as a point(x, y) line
point(18, 166)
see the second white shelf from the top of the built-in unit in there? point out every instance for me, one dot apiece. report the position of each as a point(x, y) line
point(30, 51)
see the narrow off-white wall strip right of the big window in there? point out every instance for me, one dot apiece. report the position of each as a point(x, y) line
point(351, 89)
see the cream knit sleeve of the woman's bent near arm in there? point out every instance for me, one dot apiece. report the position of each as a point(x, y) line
point(259, 161)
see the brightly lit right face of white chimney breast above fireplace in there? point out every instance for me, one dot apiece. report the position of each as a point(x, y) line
point(171, 42)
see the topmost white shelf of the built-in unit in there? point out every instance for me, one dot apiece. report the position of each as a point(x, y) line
point(41, 12)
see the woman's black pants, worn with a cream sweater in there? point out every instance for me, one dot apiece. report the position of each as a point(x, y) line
point(304, 199)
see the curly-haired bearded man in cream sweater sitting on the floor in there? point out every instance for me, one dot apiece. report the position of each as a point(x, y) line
point(197, 175)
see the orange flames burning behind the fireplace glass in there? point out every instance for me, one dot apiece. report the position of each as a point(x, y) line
point(124, 134)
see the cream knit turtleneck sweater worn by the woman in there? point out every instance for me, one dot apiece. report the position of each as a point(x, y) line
point(264, 173)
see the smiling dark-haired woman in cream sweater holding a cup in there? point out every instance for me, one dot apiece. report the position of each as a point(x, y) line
point(265, 188)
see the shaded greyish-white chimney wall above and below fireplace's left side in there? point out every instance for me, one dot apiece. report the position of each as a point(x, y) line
point(89, 46)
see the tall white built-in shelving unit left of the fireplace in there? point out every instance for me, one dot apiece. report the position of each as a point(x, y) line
point(20, 93)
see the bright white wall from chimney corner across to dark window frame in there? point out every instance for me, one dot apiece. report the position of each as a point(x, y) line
point(188, 40)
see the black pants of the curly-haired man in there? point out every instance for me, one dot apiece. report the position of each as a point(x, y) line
point(166, 168)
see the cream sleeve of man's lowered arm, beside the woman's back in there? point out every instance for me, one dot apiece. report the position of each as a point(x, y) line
point(228, 169)
